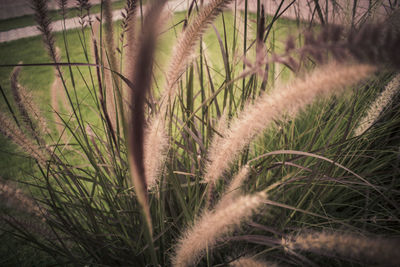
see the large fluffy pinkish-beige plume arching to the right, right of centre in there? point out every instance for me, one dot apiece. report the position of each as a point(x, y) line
point(285, 99)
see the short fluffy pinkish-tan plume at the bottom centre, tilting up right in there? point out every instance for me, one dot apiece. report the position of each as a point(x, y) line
point(212, 226)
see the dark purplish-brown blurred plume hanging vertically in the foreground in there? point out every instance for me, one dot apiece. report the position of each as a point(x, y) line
point(141, 78)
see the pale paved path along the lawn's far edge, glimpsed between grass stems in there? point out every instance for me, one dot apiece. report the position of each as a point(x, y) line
point(300, 9)
